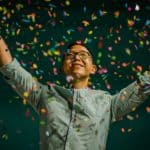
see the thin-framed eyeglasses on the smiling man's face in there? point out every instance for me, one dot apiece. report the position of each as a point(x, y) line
point(82, 55)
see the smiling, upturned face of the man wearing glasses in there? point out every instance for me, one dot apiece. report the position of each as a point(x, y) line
point(78, 62)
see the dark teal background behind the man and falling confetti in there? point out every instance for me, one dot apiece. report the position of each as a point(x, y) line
point(60, 24)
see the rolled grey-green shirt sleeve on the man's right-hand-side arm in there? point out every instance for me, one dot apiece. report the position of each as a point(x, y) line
point(130, 97)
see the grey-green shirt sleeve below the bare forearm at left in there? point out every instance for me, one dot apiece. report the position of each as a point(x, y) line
point(22, 82)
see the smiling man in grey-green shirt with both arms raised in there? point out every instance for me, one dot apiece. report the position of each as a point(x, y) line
point(77, 118)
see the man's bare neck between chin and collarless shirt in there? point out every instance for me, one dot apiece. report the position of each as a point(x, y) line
point(80, 83)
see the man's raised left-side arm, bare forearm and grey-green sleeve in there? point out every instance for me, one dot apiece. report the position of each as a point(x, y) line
point(19, 79)
